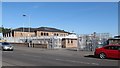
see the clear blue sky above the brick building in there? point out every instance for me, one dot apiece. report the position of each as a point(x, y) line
point(77, 17)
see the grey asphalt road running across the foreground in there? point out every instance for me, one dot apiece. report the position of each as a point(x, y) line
point(24, 56)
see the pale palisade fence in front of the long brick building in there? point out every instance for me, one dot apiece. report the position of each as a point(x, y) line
point(51, 42)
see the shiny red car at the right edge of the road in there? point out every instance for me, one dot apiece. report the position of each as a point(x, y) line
point(108, 51)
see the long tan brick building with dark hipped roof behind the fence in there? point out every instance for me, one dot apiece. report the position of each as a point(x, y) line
point(35, 32)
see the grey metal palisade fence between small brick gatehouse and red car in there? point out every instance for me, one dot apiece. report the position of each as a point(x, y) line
point(89, 42)
